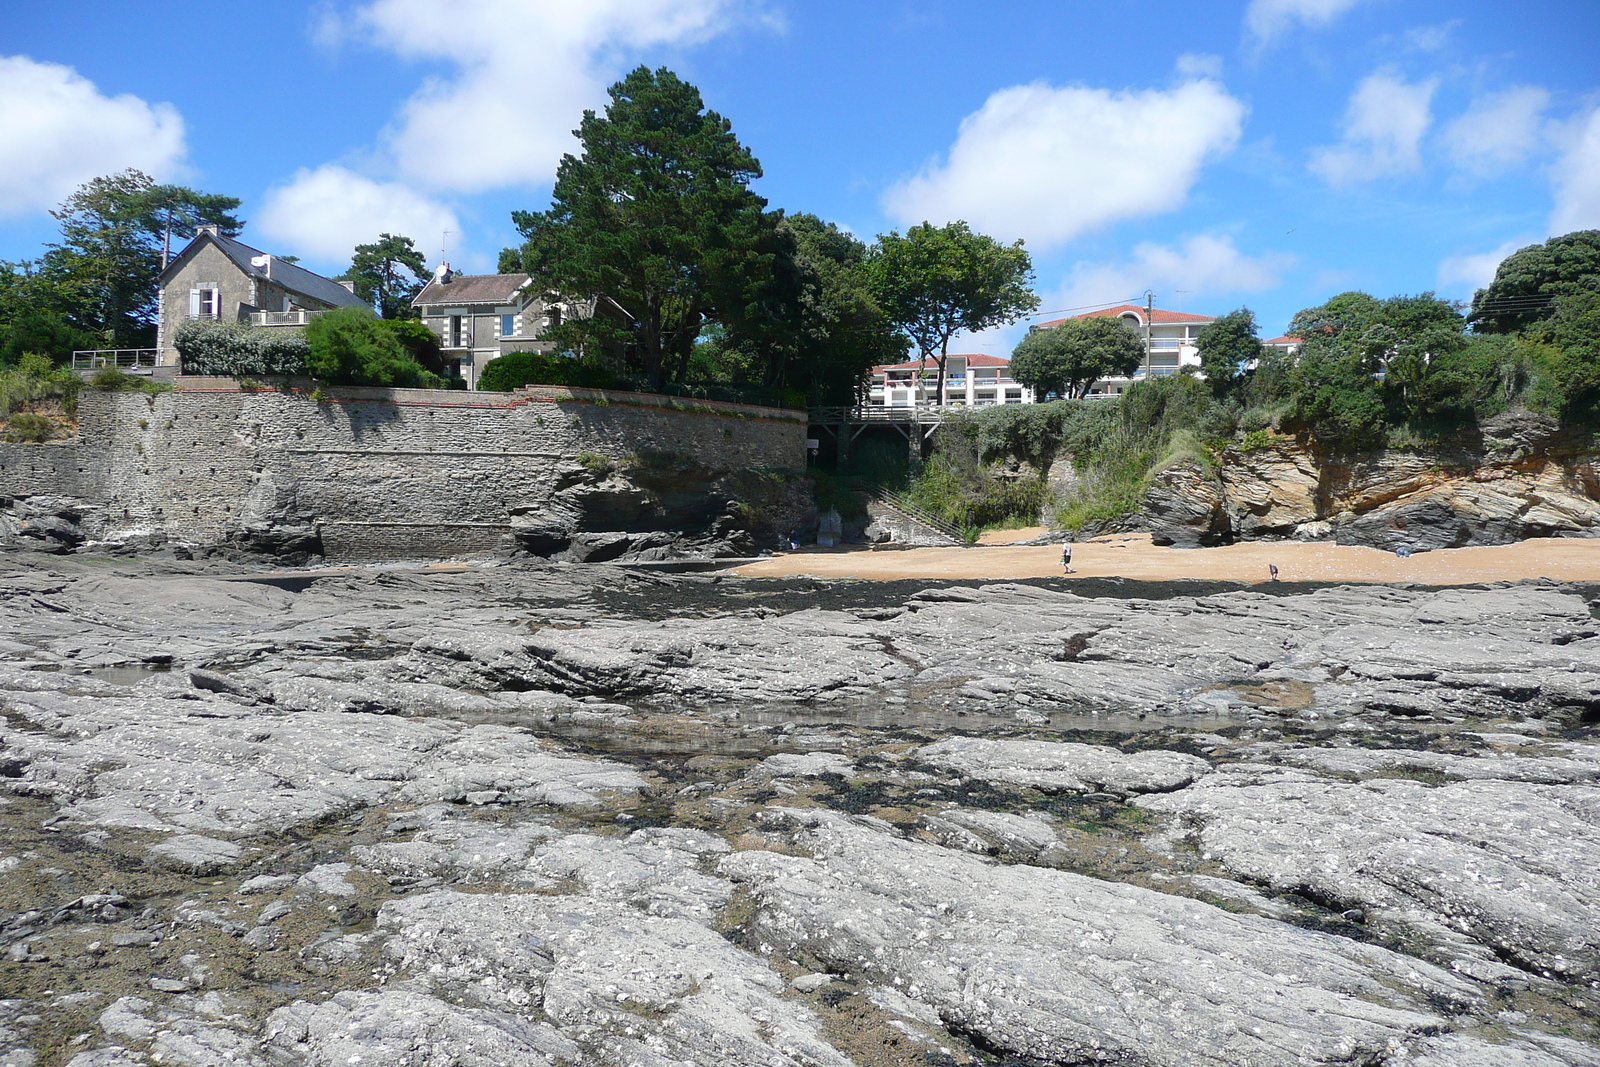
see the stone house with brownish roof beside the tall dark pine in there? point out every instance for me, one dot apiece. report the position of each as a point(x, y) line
point(481, 318)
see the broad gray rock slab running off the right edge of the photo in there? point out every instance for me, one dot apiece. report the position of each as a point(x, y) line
point(1508, 863)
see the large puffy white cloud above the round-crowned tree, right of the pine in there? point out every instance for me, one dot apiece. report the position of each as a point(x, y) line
point(1049, 164)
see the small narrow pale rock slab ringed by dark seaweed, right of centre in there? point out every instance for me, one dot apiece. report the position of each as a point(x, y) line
point(1065, 767)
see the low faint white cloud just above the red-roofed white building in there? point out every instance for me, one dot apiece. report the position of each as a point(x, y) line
point(1206, 266)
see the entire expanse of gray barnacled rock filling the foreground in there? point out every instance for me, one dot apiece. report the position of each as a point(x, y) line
point(543, 813)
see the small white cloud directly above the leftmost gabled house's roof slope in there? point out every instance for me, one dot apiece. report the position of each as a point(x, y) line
point(326, 214)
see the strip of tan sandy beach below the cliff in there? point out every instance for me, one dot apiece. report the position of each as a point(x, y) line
point(1134, 556)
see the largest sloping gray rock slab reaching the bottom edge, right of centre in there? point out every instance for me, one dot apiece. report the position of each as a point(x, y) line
point(1066, 969)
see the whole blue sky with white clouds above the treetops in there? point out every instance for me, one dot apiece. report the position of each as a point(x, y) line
point(1263, 153)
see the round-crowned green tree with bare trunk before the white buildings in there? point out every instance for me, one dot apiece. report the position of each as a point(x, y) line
point(942, 281)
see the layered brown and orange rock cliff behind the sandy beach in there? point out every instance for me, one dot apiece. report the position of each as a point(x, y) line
point(1522, 478)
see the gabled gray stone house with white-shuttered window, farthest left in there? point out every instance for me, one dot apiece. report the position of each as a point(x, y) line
point(222, 279)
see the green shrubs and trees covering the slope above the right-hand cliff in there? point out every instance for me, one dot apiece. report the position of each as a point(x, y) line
point(1366, 375)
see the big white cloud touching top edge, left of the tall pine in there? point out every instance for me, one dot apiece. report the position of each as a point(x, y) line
point(524, 74)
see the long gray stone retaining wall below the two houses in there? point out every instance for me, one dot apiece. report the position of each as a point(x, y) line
point(386, 474)
